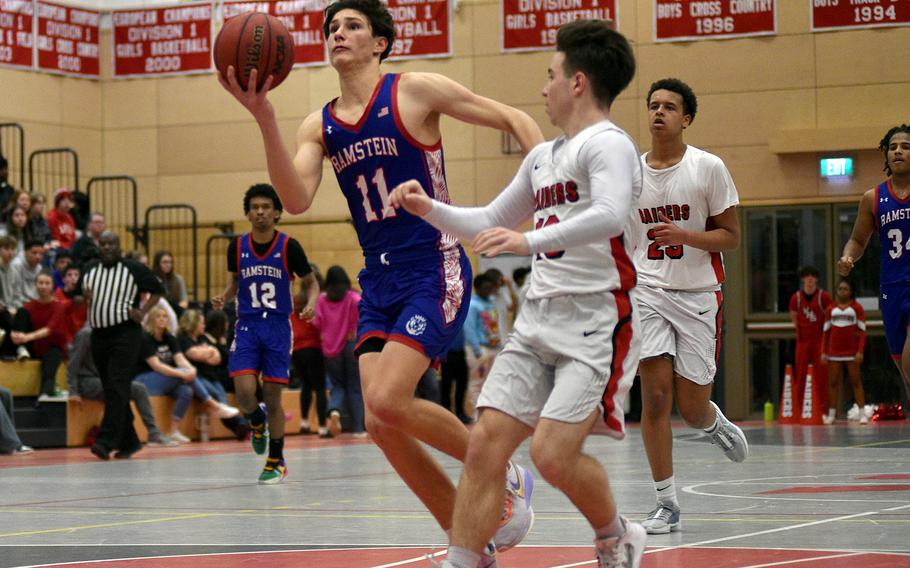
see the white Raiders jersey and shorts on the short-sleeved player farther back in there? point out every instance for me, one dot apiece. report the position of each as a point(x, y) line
point(679, 294)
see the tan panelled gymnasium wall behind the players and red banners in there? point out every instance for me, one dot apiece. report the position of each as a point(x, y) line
point(768, 106)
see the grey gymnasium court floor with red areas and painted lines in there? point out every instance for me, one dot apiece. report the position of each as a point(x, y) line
point(822, 496)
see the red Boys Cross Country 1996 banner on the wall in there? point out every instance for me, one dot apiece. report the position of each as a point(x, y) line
point(691, 20)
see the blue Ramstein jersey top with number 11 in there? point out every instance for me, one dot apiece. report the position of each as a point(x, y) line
point(373, 156)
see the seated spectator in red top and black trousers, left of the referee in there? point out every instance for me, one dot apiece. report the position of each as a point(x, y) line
point(40, 328)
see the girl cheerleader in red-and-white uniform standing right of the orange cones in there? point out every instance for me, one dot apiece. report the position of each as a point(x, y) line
point(843, 345)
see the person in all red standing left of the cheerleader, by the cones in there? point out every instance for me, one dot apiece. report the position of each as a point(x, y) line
point(807, 310)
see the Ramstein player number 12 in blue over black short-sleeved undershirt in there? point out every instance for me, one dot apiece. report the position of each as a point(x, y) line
point(263, 264)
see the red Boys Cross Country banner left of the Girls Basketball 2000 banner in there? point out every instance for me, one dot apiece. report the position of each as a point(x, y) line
point(68, 40)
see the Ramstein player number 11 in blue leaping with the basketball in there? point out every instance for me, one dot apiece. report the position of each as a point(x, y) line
point(381, 131)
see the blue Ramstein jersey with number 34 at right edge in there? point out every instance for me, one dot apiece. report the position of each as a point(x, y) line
point(892, 216)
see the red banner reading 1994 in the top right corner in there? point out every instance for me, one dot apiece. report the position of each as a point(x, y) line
point(833, 15)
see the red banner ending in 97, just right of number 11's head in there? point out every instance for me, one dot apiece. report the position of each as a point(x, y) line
point(422, 29)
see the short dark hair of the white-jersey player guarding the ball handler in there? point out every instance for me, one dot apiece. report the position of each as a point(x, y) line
point(601, 53)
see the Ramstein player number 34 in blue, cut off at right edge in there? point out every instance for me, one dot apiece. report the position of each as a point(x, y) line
point(886, 209)
